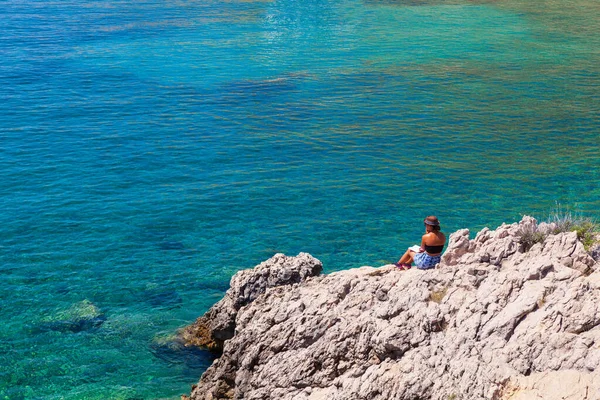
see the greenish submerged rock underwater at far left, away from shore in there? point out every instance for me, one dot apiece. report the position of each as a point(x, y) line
point(79, 317)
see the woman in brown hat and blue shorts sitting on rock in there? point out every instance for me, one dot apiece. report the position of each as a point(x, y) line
point(430, 252)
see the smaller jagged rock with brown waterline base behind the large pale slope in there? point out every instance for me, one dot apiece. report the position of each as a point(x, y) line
point(218, 324)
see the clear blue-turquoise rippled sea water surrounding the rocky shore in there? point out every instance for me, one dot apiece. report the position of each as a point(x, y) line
point(149, 151)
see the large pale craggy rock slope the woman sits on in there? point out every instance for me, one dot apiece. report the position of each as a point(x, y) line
point(495, 320)
